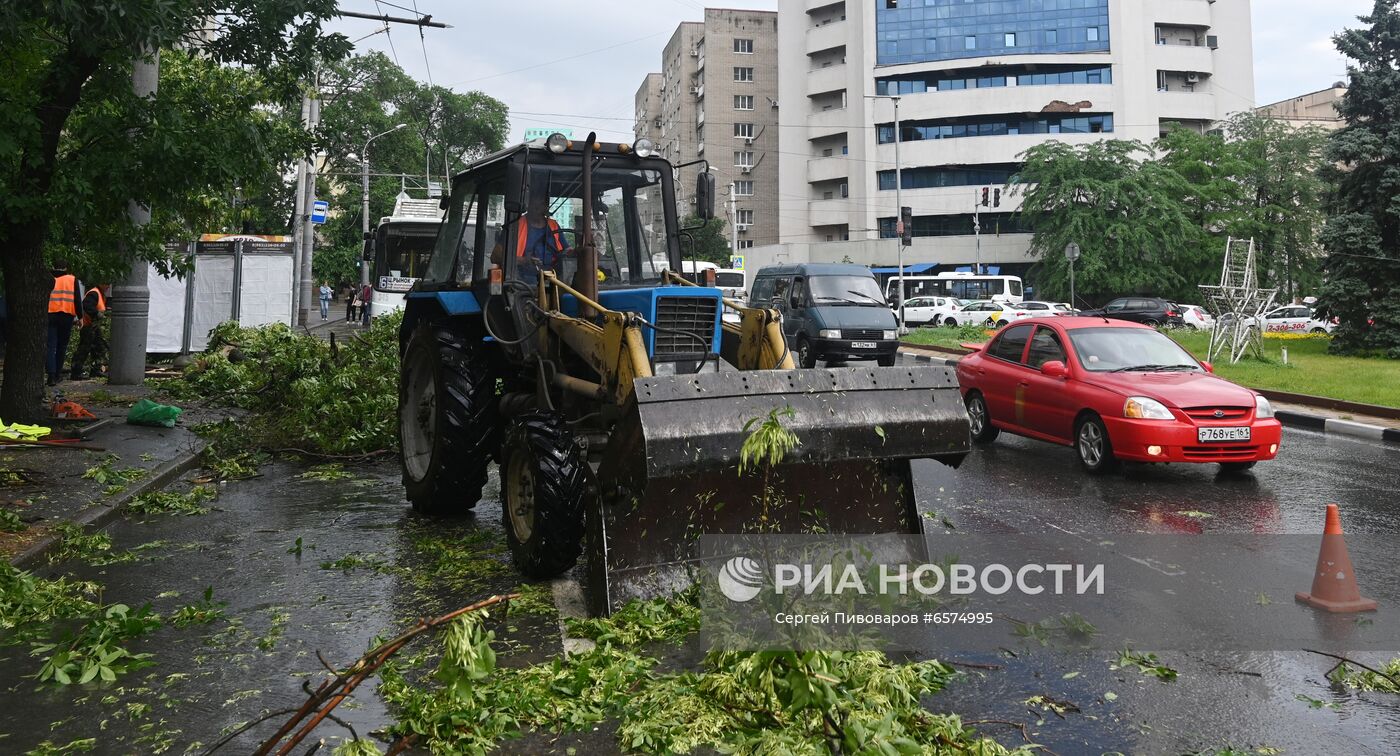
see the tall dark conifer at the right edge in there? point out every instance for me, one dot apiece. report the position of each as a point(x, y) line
point(1363, 233)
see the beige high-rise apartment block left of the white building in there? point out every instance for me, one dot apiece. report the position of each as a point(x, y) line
point(716, 100)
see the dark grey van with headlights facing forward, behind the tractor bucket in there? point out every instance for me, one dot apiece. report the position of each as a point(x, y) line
point(834, 313)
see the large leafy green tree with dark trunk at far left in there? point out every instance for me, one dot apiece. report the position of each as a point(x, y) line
point(76, 146)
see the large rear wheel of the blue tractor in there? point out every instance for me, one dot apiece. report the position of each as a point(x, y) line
point(449, 422)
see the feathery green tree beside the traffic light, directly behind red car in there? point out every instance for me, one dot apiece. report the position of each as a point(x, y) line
point(1123, 209)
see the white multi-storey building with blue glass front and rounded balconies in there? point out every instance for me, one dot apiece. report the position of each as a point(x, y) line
point(979, 82)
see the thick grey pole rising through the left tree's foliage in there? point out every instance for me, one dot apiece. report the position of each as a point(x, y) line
point(132, 297)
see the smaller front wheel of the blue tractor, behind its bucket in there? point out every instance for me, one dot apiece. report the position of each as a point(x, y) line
point(544, 492)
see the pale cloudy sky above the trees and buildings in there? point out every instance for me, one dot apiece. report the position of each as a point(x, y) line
point(579, 64)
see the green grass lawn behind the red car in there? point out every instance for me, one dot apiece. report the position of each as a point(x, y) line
point(1310, 370)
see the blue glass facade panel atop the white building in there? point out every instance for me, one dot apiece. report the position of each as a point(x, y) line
point(916, 31)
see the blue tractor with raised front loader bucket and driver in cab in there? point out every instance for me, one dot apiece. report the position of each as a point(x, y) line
point(551, 334)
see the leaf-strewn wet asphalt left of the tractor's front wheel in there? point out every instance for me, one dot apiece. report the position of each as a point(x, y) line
point(366, 569)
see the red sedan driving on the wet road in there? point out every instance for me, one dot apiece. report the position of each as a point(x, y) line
point(1114, 391)
